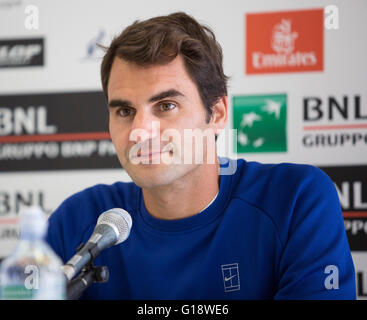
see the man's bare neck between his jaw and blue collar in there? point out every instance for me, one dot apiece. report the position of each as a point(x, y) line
point(186, 196)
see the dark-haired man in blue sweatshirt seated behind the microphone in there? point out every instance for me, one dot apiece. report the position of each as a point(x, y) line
point(264, 232)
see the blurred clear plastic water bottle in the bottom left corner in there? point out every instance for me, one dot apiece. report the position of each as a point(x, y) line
point(33, 270)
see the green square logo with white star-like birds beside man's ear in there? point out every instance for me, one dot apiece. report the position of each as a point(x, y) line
point(261, 123)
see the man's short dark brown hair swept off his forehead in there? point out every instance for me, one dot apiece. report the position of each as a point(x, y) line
point(160, 39)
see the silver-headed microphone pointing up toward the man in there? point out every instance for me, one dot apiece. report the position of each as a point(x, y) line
point(113, 227)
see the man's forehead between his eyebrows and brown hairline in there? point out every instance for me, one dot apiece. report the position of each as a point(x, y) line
point(127, 78)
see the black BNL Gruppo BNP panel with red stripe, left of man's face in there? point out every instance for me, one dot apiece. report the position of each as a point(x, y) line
point(55, 131)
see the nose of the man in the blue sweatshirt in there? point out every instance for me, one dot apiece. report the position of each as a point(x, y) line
point(145, 126)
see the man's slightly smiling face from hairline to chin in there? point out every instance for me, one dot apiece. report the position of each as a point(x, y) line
point(146, 103)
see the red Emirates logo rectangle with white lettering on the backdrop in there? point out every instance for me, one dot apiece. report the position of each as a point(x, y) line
point(287, 41)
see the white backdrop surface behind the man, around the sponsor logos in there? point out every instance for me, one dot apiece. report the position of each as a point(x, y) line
point(71, 27)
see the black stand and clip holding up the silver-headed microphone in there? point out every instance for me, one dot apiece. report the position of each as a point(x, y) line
point(89, 274)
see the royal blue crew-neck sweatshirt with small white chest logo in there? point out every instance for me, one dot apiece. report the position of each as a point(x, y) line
point(275, 231)
